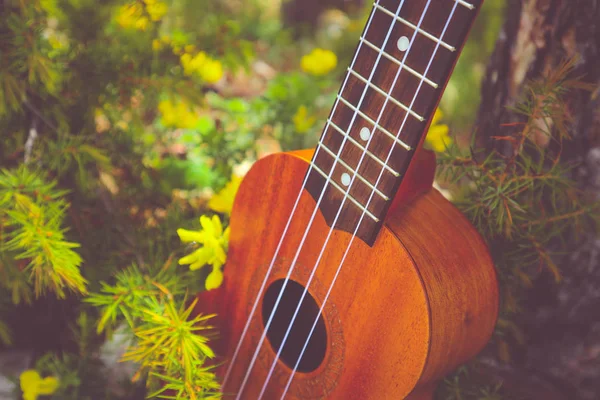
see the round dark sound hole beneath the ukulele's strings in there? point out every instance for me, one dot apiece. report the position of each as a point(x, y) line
point(315, 350)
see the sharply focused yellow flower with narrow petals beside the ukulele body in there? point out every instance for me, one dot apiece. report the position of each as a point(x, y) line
point(214, 242)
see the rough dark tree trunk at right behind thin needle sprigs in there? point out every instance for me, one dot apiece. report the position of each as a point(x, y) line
point(561, 321)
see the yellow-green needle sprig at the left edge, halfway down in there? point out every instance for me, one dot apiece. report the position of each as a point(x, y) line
point(33, 249)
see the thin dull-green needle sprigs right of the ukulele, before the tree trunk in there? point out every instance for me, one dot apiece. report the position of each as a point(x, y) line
point(523, 201)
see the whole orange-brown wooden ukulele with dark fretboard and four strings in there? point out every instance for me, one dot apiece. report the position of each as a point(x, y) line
point(349, 276)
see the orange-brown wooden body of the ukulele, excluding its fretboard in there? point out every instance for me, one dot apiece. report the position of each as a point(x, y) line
point(403, 313)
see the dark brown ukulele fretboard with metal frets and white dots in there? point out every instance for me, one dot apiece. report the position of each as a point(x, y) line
point(402, 63)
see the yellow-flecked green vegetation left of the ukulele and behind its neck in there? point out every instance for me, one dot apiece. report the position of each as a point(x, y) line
point(122, 123)
